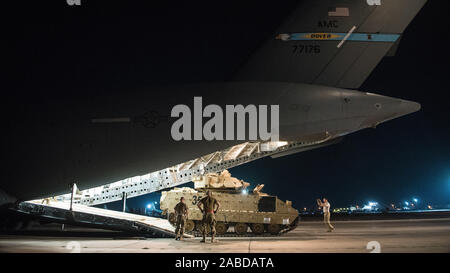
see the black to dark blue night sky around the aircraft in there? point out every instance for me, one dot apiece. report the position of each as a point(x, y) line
point(59, 51)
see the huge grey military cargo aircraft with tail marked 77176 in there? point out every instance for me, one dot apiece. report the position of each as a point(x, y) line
point(309, 70)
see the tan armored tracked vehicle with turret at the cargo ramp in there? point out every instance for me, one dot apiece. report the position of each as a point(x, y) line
point(241, 212)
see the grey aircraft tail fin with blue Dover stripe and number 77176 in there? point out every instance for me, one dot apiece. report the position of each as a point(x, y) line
point(333, 43)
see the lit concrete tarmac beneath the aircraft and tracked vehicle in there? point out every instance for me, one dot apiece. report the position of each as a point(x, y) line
point(385, 236)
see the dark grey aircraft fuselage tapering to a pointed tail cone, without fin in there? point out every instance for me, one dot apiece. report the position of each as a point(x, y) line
point(105, 139)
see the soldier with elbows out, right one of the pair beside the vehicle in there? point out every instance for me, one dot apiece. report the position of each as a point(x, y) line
point(209, 204)
